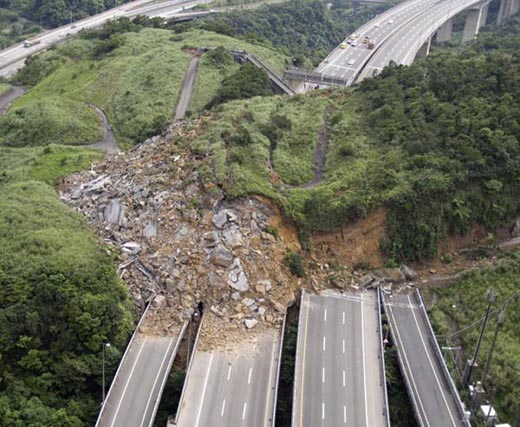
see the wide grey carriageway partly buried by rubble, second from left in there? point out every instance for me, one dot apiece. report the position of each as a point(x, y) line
point(231, 389)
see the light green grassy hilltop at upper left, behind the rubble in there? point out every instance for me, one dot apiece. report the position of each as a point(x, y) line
point(137, 84)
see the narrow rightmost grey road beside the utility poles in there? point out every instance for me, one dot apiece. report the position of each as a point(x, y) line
point(430, 393)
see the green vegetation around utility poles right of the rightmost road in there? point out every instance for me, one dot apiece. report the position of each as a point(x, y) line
point(463, 303)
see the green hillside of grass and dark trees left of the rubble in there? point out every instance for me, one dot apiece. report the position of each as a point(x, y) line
point(60, 296)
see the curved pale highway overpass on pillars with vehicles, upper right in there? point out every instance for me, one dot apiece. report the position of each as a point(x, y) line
point(400, 34)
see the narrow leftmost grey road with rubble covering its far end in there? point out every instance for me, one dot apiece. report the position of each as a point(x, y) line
point(136, 391)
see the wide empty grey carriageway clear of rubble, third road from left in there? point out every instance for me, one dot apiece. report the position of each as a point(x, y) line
point(338, 374)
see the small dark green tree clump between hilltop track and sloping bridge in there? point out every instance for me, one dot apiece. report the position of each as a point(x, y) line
point(247, 82)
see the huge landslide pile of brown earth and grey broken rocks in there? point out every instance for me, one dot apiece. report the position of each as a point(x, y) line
point(180, 245)
